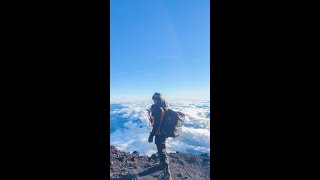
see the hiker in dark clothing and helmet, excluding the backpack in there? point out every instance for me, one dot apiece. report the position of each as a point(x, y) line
point(157, 111)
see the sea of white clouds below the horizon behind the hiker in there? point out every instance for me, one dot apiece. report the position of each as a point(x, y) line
point(130, 129)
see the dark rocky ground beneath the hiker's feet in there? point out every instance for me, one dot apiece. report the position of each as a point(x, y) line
point(132, 166)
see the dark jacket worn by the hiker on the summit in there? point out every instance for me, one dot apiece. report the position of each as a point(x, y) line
point(156, 110)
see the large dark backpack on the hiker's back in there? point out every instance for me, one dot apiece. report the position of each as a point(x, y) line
point(171, 125)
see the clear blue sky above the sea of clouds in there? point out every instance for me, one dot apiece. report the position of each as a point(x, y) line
point(159, 46)
